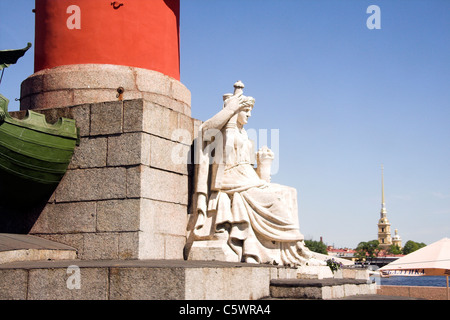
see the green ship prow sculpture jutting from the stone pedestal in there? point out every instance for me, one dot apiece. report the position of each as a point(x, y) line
point(34, 155)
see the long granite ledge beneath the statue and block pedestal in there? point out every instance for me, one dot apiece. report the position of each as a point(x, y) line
point(138, 280)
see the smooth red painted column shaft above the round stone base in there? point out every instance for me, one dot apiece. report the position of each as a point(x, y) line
point(136, 33)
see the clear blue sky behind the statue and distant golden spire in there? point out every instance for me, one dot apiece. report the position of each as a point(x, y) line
point(344, 98)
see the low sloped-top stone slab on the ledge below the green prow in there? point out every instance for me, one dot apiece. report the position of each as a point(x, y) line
point(22, 247)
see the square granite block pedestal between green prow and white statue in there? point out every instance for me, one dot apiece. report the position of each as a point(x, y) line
point(123, 196)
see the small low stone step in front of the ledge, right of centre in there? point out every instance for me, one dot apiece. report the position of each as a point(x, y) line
point(329, 288)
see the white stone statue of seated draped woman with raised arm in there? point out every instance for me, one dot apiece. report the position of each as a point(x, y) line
point(241, 215)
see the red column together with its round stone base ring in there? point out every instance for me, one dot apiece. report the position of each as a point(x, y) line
point(90, 51)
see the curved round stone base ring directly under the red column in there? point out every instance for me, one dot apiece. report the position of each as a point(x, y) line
point(90, 83)
